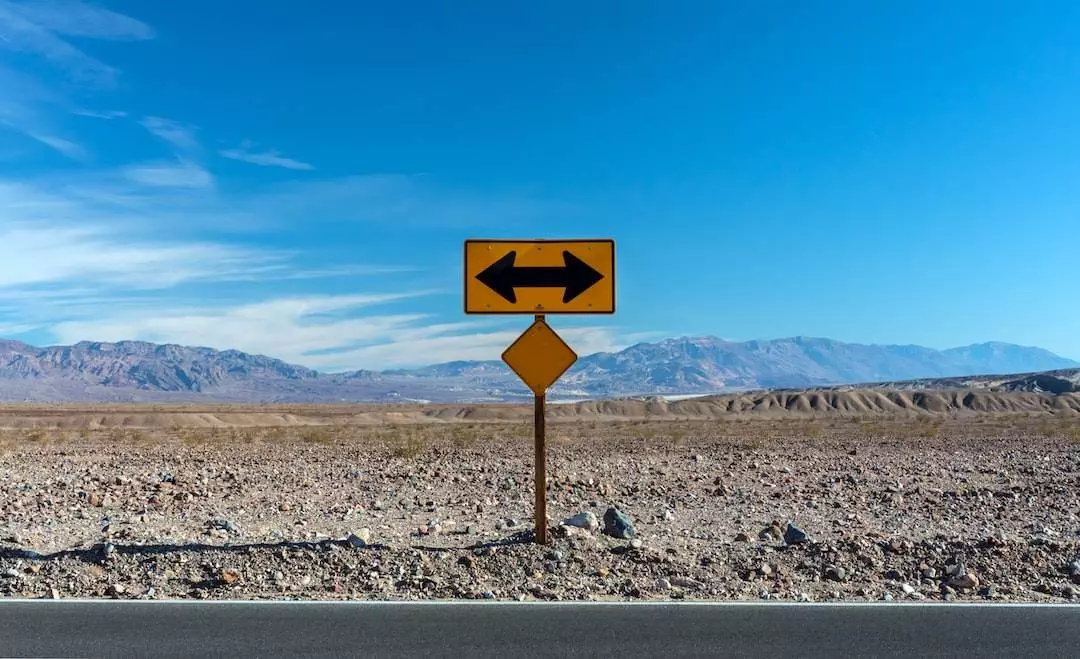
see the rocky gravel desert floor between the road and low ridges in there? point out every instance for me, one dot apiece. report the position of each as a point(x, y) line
point(125, 504)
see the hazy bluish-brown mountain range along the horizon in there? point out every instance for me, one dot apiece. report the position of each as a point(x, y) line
point(139, 371)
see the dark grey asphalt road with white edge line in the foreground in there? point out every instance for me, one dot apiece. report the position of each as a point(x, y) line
point(489, 629)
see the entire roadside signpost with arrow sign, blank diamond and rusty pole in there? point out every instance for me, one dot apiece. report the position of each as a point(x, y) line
point(539, 277)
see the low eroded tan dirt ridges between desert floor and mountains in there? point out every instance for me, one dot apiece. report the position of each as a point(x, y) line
point(765, 406)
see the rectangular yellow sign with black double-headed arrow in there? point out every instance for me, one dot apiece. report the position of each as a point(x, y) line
point(539, 277)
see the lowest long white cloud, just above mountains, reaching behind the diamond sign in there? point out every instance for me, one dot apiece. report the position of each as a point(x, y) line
point(312, 332)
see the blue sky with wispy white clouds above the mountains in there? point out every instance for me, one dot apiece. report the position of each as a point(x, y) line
point(296, 180)
